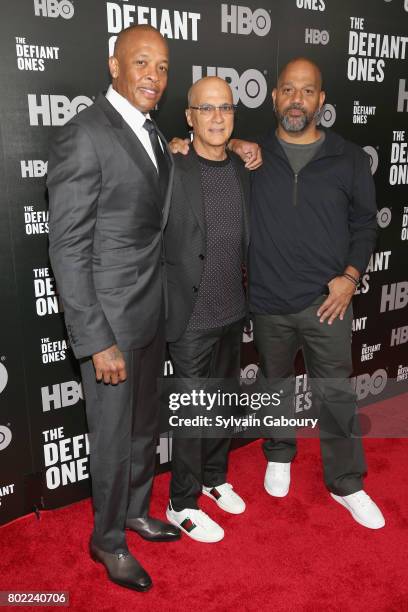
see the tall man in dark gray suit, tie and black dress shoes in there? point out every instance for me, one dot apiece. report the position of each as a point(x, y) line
point(109, 180)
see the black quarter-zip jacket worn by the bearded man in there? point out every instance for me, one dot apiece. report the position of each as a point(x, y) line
point(307, 227)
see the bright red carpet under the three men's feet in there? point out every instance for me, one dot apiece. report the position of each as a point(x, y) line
point(302, 553)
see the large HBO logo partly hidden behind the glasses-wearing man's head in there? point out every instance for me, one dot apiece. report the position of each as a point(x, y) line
point(250, 87)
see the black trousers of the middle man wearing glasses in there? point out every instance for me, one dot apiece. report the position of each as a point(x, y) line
point(213, 353)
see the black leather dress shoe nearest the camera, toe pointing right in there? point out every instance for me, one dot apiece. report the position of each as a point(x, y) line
point(122, 568)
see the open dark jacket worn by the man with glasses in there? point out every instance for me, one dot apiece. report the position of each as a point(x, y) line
point(185, 238)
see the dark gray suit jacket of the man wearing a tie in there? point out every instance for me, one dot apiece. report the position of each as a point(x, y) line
point(107, 217)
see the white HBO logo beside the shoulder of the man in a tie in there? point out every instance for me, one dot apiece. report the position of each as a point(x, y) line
point(55, 109)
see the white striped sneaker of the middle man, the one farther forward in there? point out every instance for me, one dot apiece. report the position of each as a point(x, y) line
point(196, 524)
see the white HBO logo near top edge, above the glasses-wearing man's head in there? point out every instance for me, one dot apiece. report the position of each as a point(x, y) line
point(241, 20)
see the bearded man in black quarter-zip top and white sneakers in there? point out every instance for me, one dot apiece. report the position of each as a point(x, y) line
point(313, 229)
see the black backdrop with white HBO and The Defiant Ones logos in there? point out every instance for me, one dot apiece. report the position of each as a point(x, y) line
point(53, 64)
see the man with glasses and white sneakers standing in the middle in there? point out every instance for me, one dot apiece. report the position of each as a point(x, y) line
point(206, 241)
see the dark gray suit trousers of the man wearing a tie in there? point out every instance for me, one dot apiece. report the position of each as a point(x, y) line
point(123, 425)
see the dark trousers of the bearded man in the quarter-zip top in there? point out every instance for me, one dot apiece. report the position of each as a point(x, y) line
point(327, 354)
